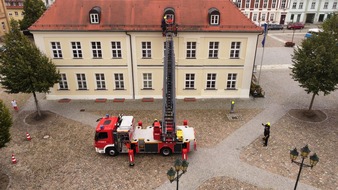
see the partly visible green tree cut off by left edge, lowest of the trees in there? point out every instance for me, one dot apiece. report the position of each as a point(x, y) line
point(5, 124)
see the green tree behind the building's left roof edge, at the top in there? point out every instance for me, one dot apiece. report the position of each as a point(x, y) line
point(32, 9)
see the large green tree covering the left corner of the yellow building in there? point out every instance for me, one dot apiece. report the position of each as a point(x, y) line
point(23, 67)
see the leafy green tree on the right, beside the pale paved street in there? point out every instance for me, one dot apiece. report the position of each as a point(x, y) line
point(315, 62)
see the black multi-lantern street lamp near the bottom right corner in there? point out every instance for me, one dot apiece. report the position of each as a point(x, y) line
point(304, 152)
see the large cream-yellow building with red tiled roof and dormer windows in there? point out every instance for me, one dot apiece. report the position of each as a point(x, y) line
point(114, 49)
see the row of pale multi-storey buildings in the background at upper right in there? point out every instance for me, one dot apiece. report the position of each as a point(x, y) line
point(285, 11)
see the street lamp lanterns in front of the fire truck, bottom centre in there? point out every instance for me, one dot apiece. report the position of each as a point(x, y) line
point(179, 166)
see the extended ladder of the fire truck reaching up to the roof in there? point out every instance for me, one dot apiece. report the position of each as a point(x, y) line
point(169, 94)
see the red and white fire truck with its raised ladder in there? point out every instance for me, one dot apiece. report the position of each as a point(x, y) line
point(119, 134)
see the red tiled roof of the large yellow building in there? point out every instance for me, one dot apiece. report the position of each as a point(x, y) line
point(142, 15)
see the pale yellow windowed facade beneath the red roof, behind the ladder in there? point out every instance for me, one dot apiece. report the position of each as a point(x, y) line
point(129, 64)
